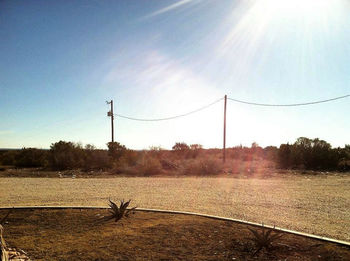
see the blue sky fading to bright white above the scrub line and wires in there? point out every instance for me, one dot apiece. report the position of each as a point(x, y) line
point(60, 61)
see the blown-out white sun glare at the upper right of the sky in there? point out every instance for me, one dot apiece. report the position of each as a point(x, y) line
point(258, 24)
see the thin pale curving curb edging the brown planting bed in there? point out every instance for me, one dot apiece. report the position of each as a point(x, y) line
point(340, 242)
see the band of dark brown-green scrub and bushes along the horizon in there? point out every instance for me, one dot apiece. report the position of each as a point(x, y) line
point(305, 154)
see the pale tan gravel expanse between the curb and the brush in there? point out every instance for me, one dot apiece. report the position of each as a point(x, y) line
point(314, 204)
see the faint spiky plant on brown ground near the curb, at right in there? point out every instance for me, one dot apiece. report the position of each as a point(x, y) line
point(265, 238)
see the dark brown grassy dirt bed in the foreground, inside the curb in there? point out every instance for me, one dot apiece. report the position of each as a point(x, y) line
point(77, 235)
